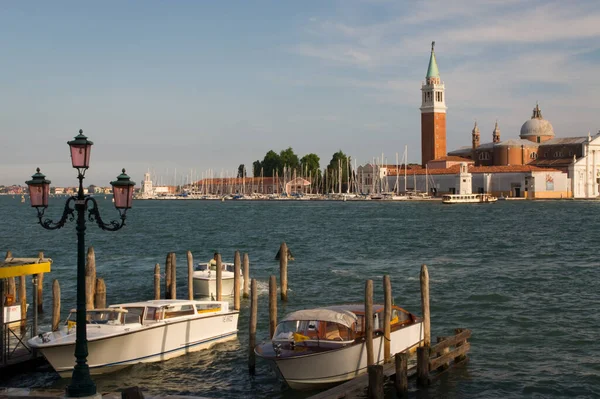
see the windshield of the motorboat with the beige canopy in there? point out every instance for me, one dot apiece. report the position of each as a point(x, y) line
point(312, 330)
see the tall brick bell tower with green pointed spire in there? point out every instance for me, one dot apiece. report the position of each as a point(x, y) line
point(433, 114)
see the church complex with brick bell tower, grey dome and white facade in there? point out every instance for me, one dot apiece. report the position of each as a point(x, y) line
point(536, 164)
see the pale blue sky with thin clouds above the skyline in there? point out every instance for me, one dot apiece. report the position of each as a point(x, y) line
point(180, 88)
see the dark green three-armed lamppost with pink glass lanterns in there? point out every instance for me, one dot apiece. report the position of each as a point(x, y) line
point(39, 188)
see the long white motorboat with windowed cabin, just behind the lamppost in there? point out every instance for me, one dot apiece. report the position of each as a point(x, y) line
point(139, 332)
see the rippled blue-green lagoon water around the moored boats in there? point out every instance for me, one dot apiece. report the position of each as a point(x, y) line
point(523, 276)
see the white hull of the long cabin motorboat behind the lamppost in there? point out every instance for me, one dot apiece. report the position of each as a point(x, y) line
point(144, 345)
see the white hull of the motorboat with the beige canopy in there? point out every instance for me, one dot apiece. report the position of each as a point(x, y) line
point(323, 369)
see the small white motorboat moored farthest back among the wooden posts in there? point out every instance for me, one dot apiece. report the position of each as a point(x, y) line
point(205, 279)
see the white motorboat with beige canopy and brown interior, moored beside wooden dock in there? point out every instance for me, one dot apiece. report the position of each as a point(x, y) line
point(316, 348)
